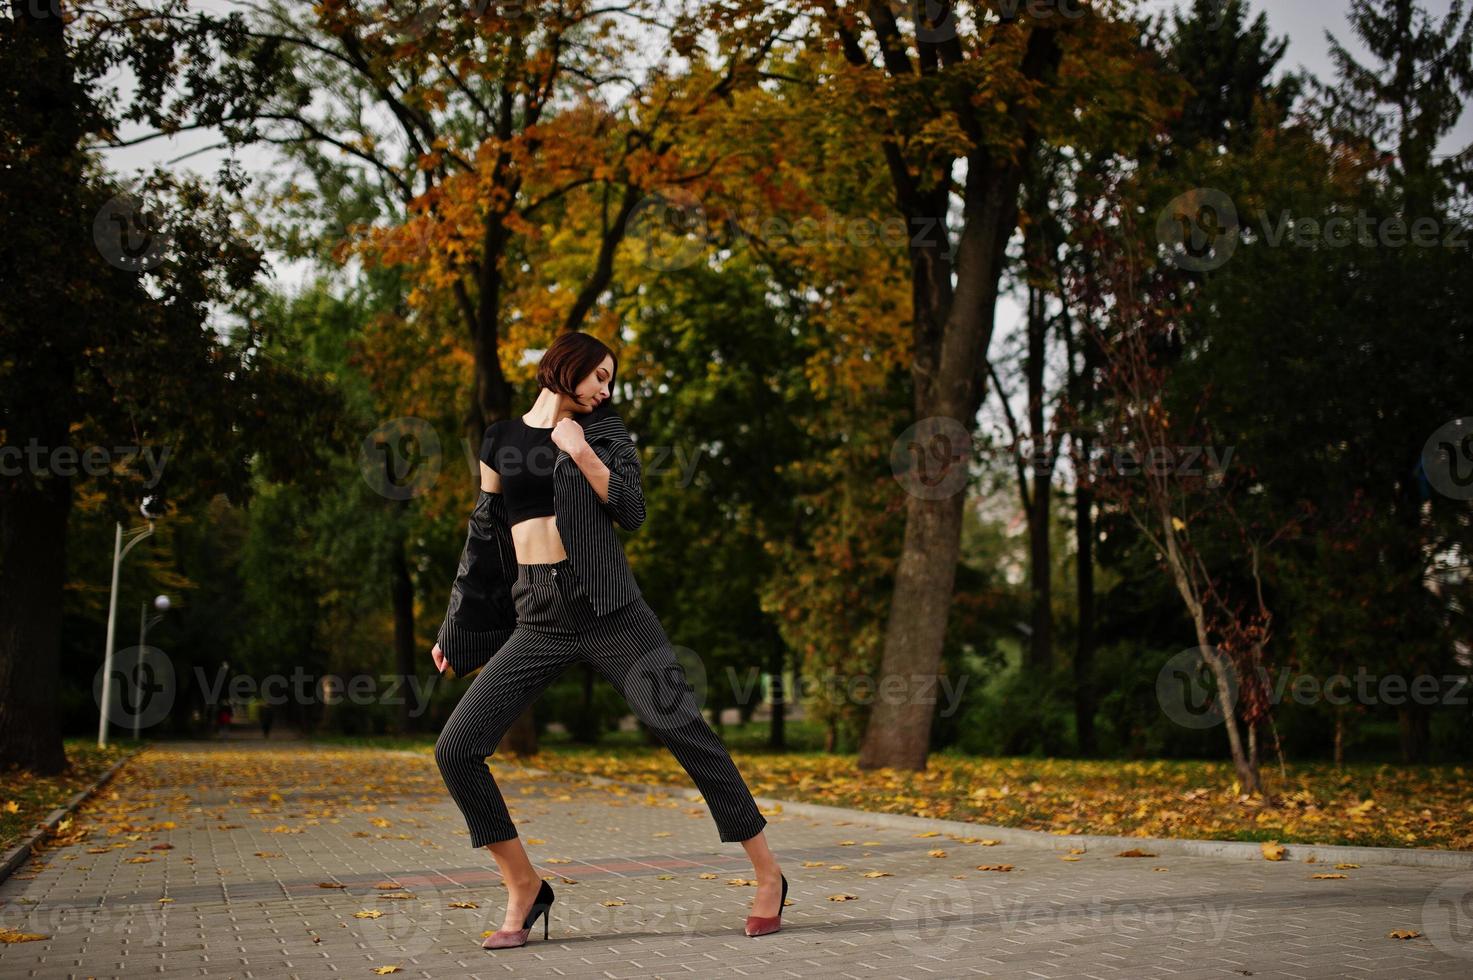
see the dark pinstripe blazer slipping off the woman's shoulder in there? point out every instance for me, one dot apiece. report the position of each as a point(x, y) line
point(482, 615)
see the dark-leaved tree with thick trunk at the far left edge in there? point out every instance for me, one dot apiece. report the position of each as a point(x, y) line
point(110, 332)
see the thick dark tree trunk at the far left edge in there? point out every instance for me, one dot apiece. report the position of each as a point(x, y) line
point(46, 329)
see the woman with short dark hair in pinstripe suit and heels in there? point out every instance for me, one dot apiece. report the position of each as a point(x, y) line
point(544, 584)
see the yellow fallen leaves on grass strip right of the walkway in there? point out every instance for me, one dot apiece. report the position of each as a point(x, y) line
point(1374, 805)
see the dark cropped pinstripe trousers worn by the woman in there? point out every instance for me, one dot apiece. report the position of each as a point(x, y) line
point(556, 629)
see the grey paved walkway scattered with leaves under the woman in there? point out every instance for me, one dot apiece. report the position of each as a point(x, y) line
point(241, 841)
